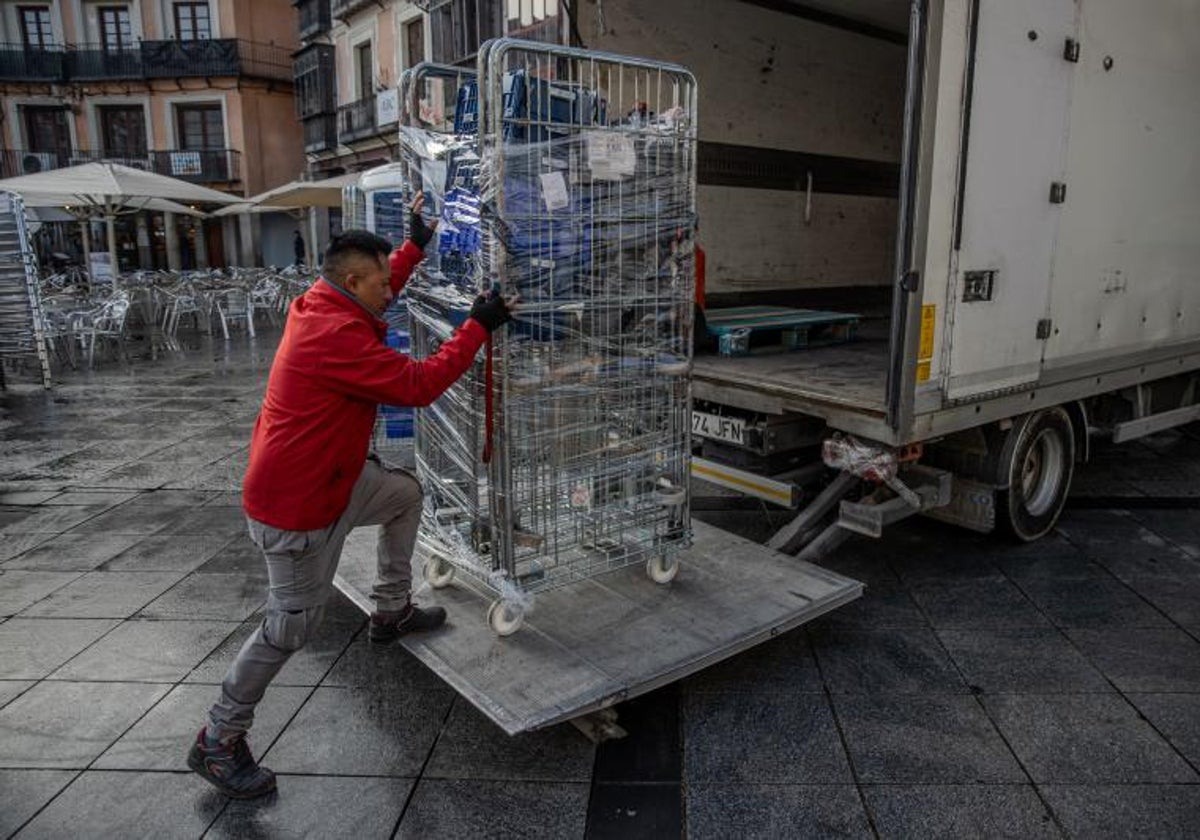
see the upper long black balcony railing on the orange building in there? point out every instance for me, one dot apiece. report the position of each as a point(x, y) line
point(147, 61)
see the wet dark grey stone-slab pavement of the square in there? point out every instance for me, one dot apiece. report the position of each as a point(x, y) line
point(977, 689)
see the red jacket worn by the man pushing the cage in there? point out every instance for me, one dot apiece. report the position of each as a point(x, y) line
point(331, 373)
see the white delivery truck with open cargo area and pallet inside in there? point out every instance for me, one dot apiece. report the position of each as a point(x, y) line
point(1007, 191)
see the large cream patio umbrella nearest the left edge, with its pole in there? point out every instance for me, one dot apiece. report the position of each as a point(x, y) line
point(107, 190)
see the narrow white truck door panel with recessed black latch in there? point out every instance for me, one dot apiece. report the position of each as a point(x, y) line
point(1013, 158)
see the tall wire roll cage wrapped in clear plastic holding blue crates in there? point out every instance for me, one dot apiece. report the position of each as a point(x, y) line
point(568, 179)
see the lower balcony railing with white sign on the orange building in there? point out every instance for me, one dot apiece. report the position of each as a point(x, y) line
point(207, 166)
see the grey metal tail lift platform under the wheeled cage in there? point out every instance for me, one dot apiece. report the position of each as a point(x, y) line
point(587, 647)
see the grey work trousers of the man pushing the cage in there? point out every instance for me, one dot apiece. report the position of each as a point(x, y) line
point(301, 567)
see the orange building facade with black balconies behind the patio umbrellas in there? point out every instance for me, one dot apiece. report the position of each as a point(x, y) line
point(200, 91)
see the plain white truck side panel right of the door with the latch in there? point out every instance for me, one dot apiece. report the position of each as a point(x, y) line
point(1127, 268)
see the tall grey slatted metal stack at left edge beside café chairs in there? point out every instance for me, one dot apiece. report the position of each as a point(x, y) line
point(22, 321)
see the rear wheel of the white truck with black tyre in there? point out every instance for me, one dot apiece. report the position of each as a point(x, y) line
point(1039, 467)
